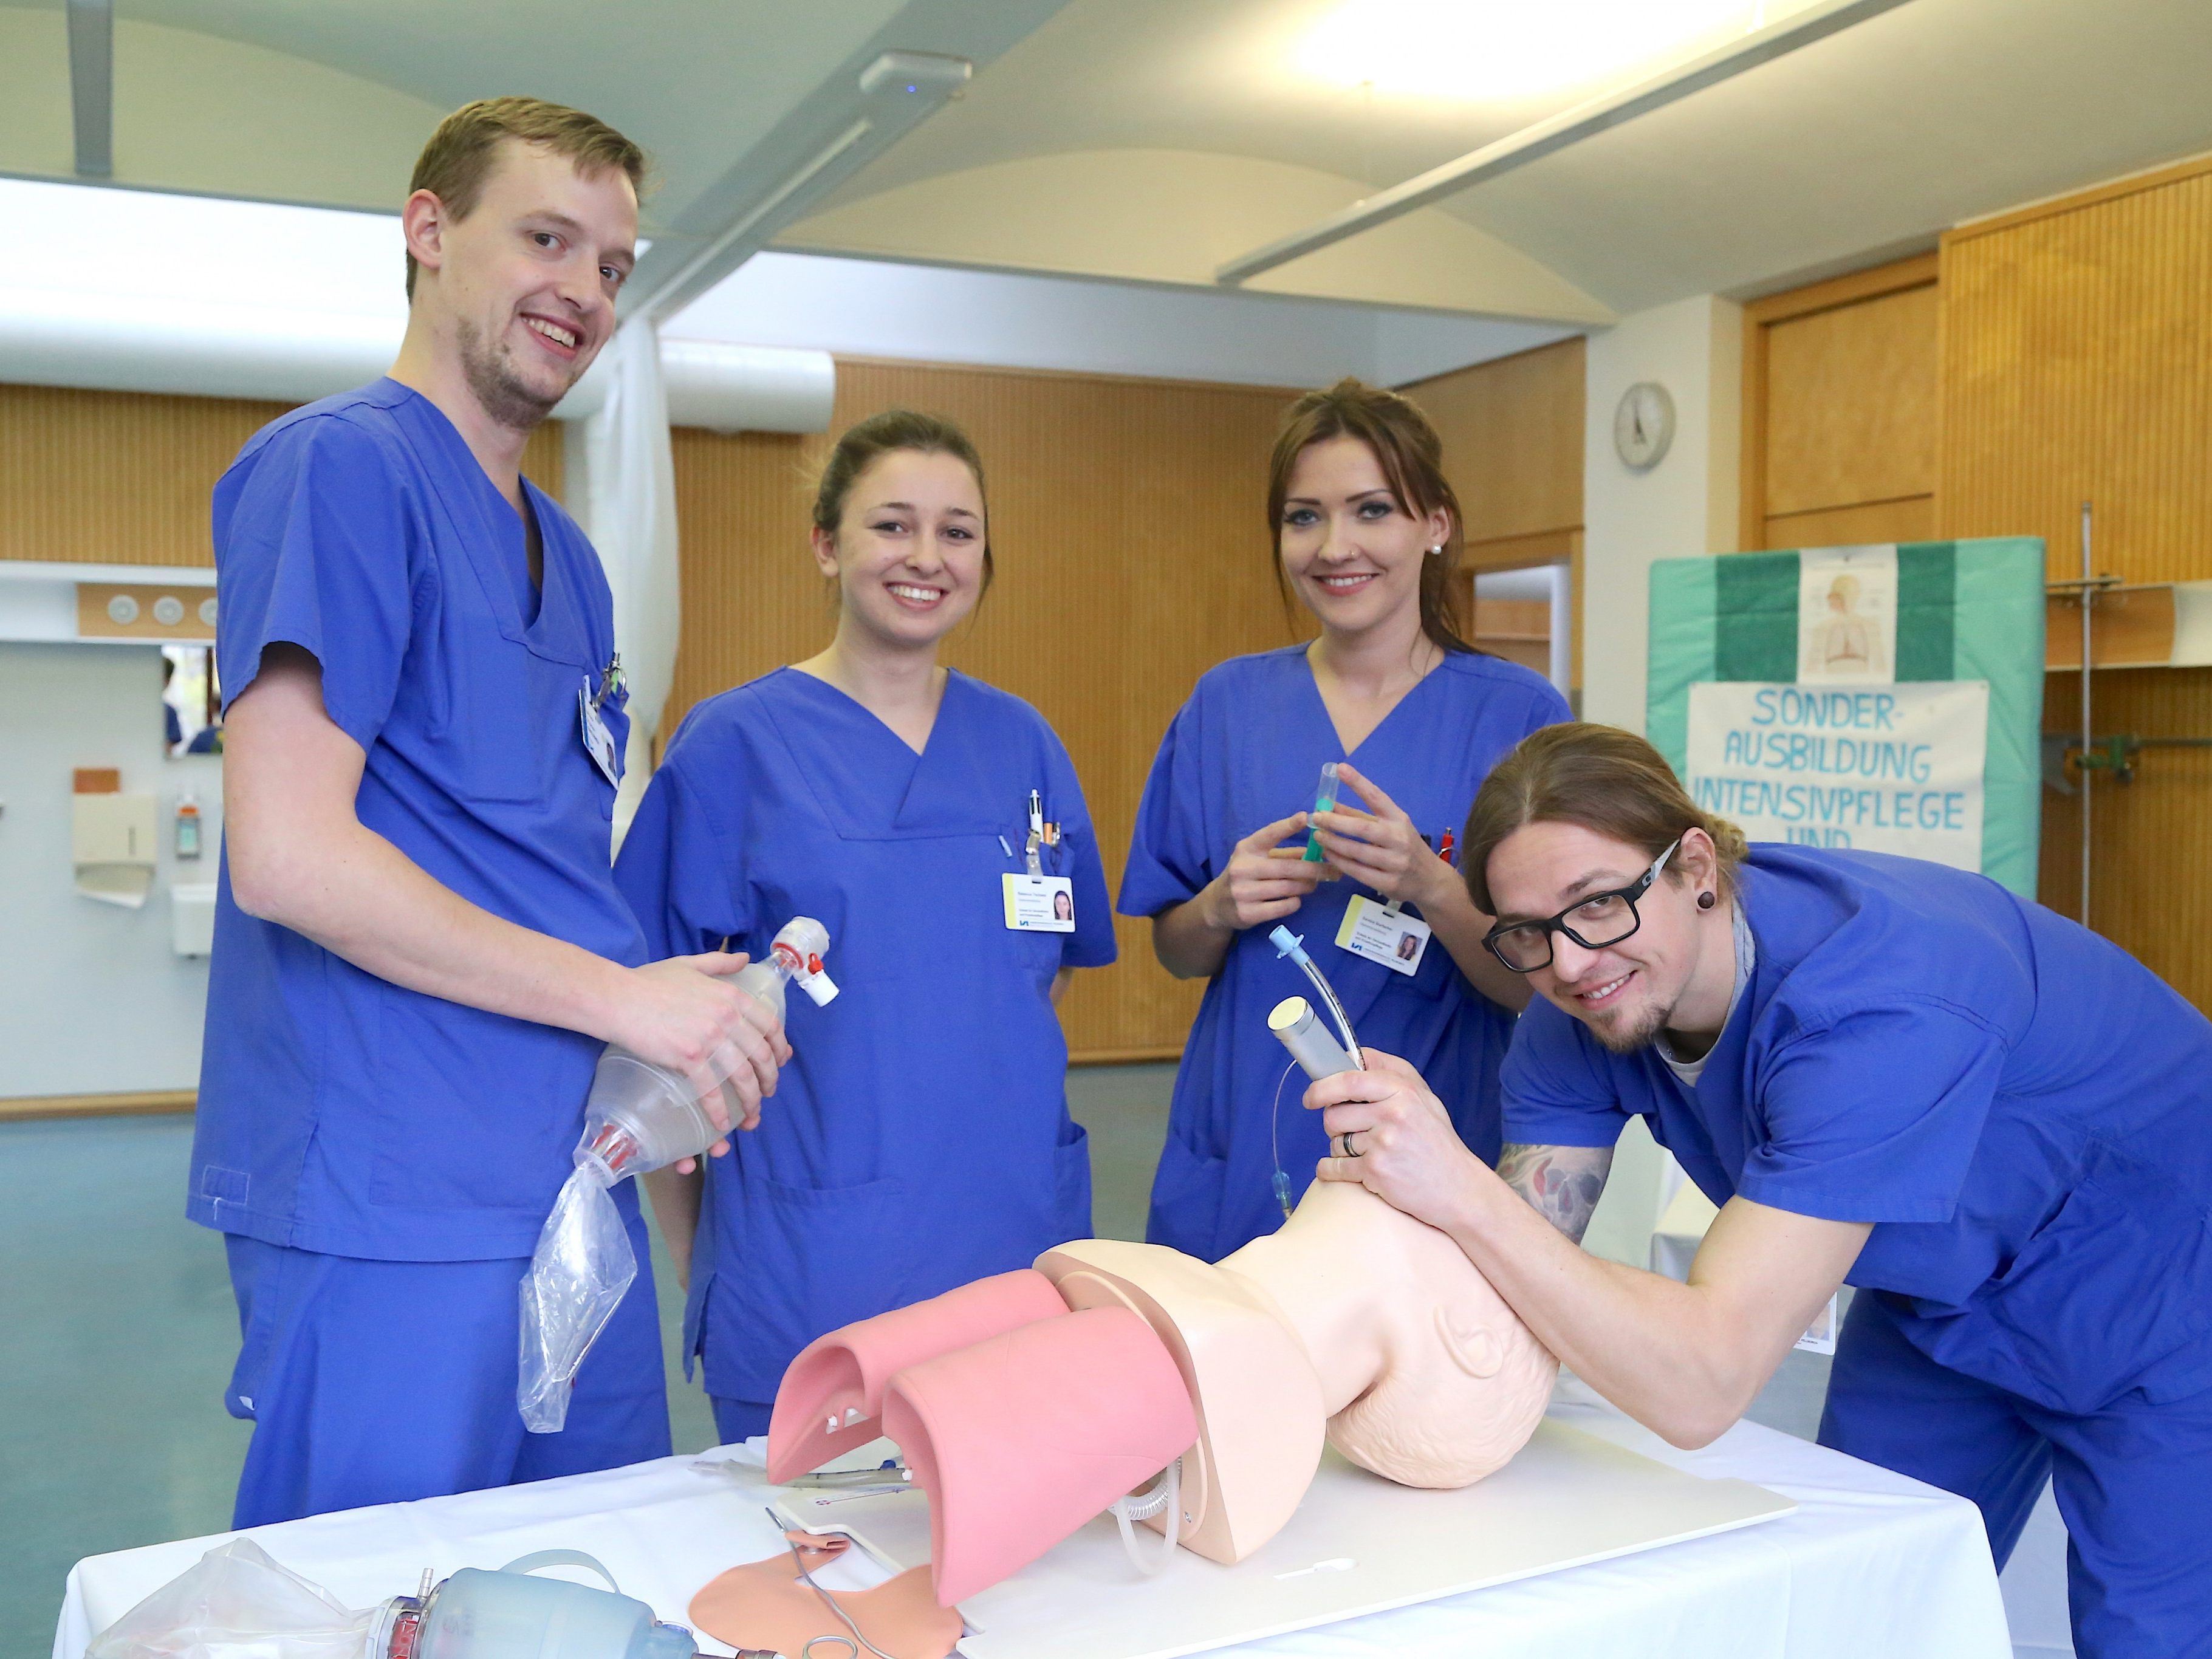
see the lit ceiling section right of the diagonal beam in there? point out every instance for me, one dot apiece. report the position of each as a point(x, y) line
point(1142, 138)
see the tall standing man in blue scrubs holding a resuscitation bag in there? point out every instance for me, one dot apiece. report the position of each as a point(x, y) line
point(419, 943)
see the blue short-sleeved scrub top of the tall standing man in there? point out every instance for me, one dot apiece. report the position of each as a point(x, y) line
point(337, 1112)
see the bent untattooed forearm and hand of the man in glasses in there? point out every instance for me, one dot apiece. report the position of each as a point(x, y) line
point(1680, 1359)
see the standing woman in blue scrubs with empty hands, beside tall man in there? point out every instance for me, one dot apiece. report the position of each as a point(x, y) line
point(921, 1138)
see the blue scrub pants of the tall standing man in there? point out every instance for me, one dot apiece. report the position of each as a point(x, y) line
point(384, 1381)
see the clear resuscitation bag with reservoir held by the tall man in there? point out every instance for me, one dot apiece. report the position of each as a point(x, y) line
point(640, 1118)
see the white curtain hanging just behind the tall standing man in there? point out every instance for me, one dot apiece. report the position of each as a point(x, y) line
point(632, 517)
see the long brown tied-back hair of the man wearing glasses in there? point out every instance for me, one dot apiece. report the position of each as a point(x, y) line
point(1600, 778)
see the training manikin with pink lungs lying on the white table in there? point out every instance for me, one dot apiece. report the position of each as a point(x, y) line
point(1032, 1401)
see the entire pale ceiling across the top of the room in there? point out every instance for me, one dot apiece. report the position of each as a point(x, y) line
point(1151, 140)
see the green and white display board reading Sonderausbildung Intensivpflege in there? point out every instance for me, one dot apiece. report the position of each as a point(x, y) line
point(1881, 698)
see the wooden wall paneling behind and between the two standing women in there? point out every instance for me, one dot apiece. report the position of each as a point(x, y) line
point(1134, 554)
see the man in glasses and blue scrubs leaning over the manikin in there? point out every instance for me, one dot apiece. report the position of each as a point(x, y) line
point(1888, 1074)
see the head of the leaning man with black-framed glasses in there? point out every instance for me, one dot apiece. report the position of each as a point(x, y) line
point(1583, 811)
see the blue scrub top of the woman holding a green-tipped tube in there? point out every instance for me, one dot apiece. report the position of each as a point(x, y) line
point(1242, 753)
